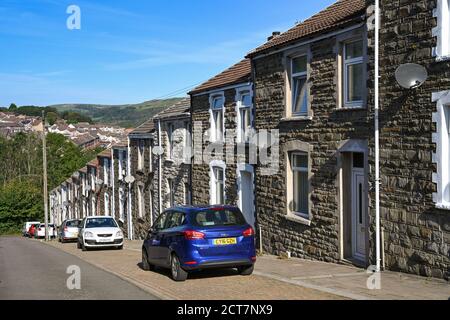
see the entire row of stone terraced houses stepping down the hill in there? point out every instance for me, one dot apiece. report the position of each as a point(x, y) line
point(312, 87)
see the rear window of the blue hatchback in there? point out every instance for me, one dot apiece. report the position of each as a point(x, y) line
point(217, 217)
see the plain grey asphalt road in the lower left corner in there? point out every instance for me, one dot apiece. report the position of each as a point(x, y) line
point(33, 270)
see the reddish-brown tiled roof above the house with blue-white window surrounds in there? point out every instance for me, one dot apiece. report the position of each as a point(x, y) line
point(238, 73)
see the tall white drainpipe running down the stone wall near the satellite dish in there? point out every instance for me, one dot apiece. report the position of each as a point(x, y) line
point(377, 138)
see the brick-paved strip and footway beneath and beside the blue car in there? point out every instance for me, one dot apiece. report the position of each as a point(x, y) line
point(273, 278)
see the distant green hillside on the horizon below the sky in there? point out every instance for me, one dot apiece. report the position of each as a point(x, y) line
point(128, 115)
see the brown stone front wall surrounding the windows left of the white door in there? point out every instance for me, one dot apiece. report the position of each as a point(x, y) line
point(329, 126)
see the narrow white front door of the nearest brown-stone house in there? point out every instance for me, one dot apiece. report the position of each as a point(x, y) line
point(358, 214)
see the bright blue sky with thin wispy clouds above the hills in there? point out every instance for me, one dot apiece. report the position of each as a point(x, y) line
point(129, 51)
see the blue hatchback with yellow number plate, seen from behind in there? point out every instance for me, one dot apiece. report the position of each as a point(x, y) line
point(195, 238)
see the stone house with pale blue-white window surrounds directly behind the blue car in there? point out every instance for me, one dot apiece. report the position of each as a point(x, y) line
point(222, 118)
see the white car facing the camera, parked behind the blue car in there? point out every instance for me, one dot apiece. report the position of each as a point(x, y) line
point(99, 232)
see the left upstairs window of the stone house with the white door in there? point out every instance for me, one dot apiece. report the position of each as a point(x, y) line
point(299, 85)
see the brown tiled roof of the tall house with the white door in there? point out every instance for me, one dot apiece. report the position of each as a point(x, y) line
point(339, 14)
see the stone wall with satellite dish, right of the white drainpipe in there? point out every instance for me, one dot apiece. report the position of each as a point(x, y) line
point(417, 234)
